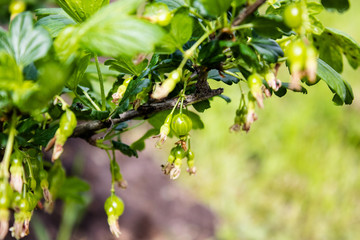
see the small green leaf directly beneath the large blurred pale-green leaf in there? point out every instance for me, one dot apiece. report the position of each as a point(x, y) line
point(126, 65)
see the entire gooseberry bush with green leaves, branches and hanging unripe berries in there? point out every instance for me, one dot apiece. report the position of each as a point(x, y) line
point(87, 68)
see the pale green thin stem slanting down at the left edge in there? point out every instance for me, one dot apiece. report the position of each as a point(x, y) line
point(9, 148)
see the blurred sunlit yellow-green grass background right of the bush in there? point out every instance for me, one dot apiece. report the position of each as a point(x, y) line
point(295, 175)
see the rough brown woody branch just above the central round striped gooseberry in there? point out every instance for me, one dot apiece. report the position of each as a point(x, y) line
point(87, 129)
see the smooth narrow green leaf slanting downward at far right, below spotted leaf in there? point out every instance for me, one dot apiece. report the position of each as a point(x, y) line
point(335, 82)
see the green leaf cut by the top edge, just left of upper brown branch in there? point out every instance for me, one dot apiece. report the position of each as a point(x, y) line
point(212, 8)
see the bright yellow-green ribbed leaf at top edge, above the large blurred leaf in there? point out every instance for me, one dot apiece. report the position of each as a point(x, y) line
point(80, 10)
